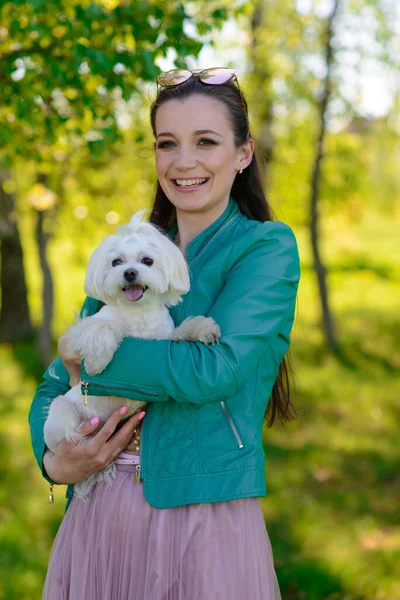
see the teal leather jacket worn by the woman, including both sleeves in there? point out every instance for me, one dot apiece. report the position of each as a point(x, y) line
point(202, 435)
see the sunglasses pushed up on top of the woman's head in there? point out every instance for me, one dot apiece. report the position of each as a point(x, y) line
point(213, 76)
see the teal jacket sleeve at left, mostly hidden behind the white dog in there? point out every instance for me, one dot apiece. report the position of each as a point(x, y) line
point(56, 383)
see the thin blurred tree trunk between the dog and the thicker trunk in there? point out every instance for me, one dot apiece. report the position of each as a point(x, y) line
point(45, 338)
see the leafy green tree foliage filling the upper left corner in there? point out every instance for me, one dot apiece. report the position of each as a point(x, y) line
point(65, 66)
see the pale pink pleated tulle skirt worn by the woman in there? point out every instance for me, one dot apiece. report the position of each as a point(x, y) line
point(118, 547)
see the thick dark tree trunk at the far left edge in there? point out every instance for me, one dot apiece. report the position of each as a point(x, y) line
point(15, 323)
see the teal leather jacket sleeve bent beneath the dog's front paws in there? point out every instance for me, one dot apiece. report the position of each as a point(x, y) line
point(255, 312)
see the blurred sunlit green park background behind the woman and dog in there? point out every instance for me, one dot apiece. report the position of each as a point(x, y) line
point(76, 159)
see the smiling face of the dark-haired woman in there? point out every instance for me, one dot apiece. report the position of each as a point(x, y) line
point(196, 157)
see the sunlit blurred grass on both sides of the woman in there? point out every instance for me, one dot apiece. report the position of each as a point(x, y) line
point(332, 509)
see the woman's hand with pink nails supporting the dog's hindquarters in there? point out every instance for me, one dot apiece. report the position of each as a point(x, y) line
point(72, 462)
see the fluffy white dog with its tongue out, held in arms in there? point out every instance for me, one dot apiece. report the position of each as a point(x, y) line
point(137, 273)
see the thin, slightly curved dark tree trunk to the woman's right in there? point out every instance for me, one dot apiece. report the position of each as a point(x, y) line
point(328, 323)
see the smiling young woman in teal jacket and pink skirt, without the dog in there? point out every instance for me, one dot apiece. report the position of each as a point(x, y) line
point(186, 523)
